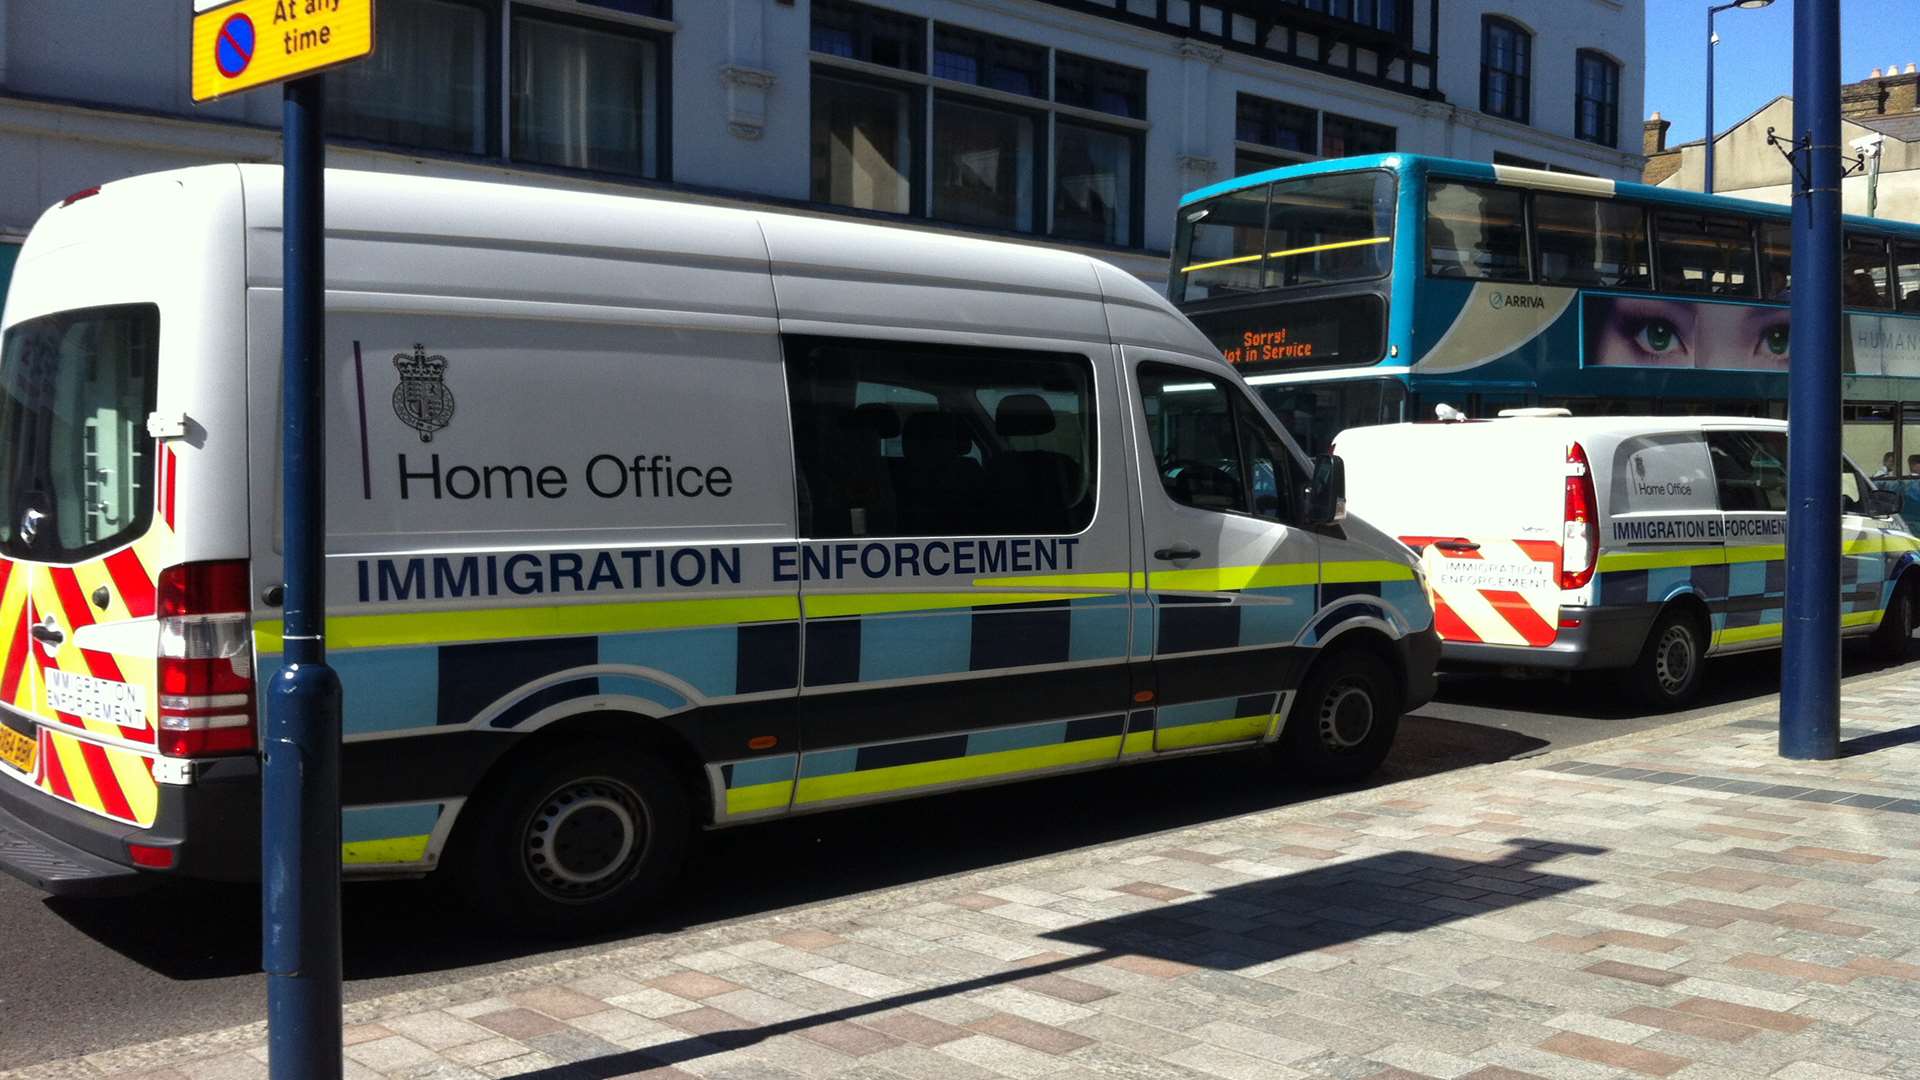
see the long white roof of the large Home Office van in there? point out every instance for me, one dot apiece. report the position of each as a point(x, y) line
point(825, 270)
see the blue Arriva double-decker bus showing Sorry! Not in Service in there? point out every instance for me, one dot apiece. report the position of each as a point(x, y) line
point(1376, 289)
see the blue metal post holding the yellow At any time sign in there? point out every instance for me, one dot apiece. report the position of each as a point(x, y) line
point(300, 762)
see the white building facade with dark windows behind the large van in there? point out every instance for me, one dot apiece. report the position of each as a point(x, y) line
point(1061, 122)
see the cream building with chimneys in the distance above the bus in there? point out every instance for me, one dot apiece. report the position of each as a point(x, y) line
point(1881, 118)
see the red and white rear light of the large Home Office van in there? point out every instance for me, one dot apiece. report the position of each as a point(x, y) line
point(206, 660)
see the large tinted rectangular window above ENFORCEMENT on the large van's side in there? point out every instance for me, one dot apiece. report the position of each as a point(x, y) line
point(898, 439)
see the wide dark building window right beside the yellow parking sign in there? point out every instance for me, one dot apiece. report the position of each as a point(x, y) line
point(583, 93)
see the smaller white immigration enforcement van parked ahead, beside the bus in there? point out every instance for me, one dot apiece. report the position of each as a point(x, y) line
point(1621, 543)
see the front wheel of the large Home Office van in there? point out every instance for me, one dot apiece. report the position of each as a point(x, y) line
point(1345, 720)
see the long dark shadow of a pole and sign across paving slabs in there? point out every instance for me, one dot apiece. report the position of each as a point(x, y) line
point(1230, 931)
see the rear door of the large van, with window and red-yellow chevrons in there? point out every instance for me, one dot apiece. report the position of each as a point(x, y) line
point(82, 531)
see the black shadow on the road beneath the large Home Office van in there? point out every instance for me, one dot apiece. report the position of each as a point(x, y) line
point(404, 929)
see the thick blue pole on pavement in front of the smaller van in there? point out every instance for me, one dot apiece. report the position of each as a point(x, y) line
point(1810, 691)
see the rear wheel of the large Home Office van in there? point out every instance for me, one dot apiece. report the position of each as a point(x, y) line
point(575, 841)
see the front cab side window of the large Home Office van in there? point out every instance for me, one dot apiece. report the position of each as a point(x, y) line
point(1212, 451)
